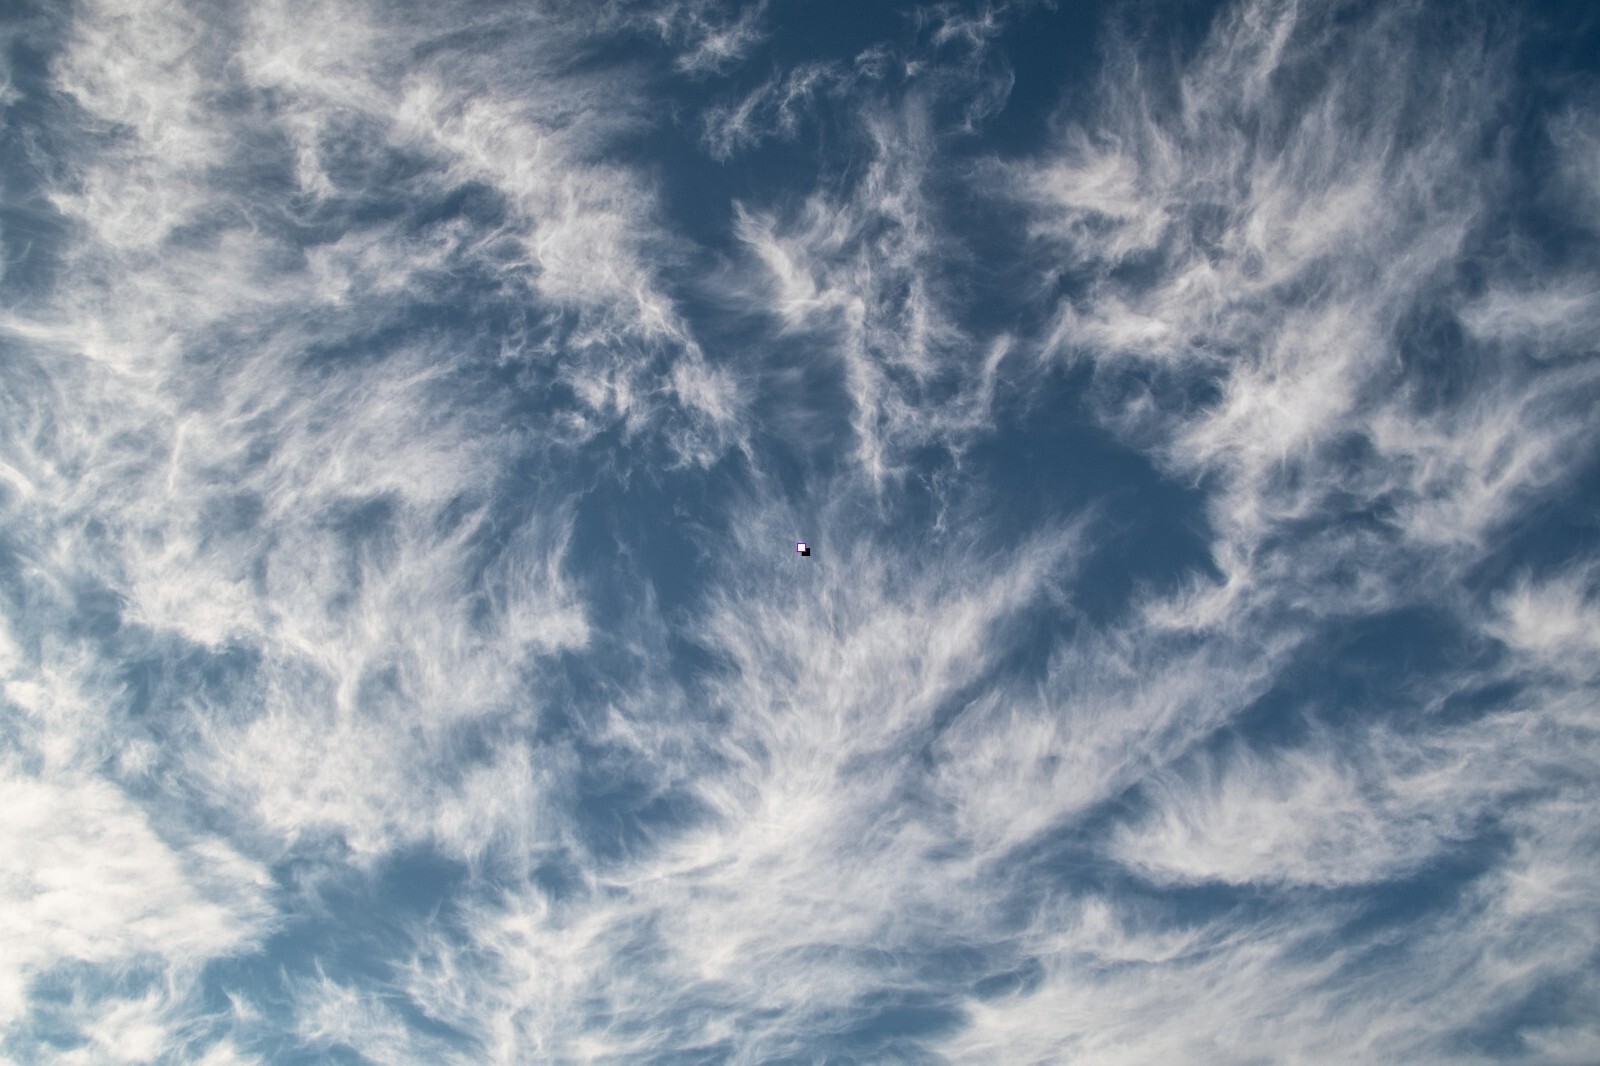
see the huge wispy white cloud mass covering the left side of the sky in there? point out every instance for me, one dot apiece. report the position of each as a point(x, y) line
point(236, 441)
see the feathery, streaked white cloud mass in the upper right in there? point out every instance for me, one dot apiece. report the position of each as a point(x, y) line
point(1268, 242)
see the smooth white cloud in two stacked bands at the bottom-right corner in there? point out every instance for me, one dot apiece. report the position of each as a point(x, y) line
point(1130, 984)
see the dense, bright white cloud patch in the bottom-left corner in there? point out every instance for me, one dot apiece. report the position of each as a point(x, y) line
point(89, 883)
